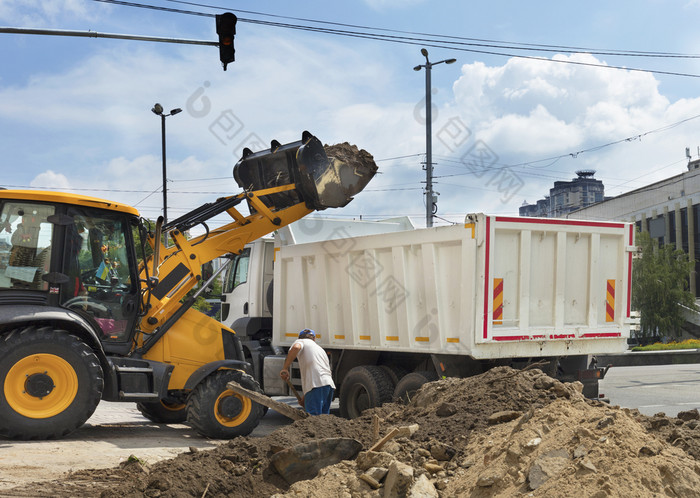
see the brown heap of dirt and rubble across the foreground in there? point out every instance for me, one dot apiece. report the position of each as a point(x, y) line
point(503, 433)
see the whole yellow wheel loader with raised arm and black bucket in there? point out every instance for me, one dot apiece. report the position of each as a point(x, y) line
point(94, 305)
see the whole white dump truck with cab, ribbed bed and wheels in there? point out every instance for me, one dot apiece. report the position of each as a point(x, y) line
point(403, 306)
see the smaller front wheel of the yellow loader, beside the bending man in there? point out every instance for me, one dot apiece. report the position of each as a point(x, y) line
point(215, 411)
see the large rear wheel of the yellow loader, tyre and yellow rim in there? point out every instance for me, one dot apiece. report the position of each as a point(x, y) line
point(51, 382)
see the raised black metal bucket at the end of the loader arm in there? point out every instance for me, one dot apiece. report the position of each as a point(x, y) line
point(320, 182)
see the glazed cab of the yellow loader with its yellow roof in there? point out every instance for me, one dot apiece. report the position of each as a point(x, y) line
point(72, 256)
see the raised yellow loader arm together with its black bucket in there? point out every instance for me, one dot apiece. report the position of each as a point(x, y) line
point(281, 185)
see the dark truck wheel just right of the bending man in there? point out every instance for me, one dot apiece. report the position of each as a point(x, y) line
point(366, 386)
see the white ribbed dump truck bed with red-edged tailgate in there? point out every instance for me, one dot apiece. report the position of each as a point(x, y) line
point(491, 287)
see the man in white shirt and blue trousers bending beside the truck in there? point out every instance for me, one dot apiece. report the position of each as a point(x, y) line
point(316, 380)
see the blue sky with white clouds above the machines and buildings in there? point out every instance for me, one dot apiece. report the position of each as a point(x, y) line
point(75, 112)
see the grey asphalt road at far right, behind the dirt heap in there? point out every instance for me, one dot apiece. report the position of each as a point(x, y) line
point(653, 389)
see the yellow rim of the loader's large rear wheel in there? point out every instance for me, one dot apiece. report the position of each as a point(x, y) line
point(41, 385)
